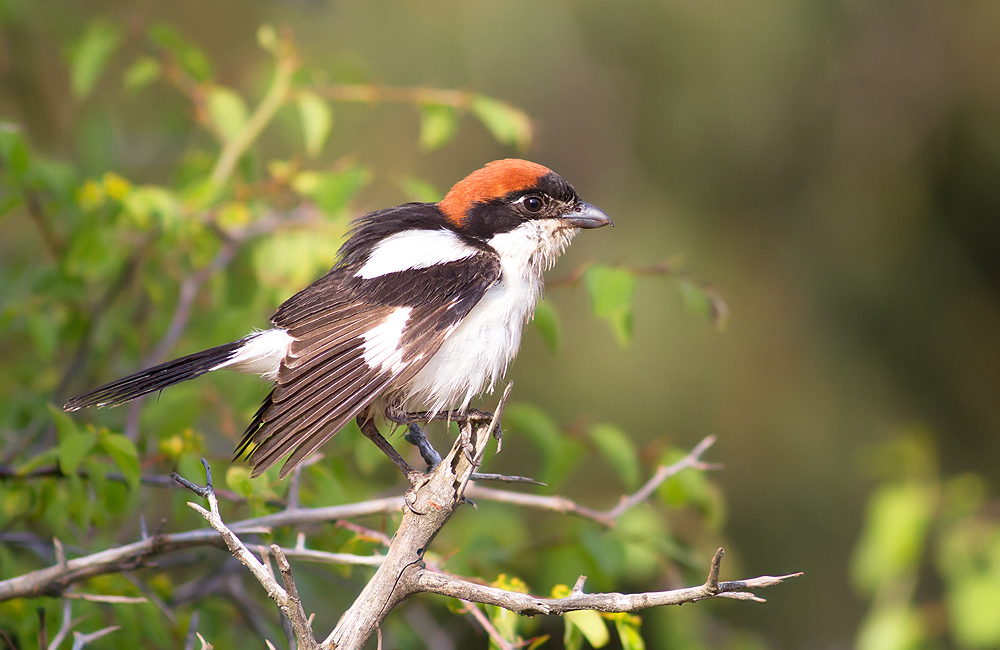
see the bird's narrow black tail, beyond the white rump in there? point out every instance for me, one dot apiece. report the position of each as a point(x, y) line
point(157, 377)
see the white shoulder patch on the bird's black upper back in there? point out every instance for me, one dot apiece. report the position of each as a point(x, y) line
point(414, 249)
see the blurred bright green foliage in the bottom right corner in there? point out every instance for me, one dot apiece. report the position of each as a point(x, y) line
point(924, 527)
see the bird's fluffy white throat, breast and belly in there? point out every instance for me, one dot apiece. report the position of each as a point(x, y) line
point(478, 351)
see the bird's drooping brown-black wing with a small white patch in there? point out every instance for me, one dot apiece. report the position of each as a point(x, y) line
point(326, 379)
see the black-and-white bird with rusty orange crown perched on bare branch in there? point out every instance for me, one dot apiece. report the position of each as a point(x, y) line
point(422, 311)
